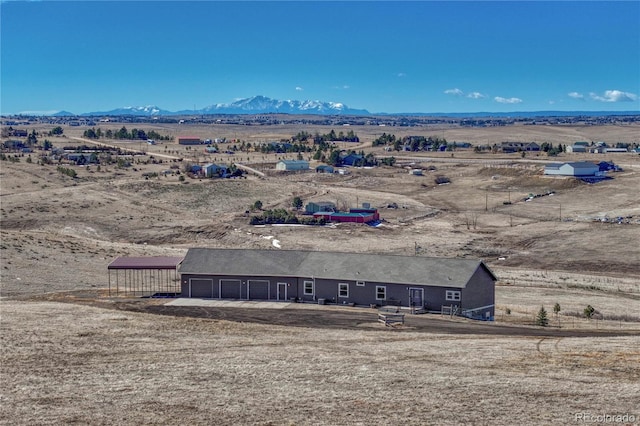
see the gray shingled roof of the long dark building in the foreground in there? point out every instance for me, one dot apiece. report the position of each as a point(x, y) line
point(333, 265)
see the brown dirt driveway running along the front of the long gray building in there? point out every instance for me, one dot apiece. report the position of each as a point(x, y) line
point(321, 317)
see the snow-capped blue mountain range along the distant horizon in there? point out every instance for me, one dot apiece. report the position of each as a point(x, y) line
point(265, 105)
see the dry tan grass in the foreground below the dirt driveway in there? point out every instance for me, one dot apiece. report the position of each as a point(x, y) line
point(66, 363)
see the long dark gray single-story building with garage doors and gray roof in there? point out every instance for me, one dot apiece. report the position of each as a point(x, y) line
point(432, 284)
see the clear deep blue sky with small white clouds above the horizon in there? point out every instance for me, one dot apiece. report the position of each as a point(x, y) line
point(418, 56)
